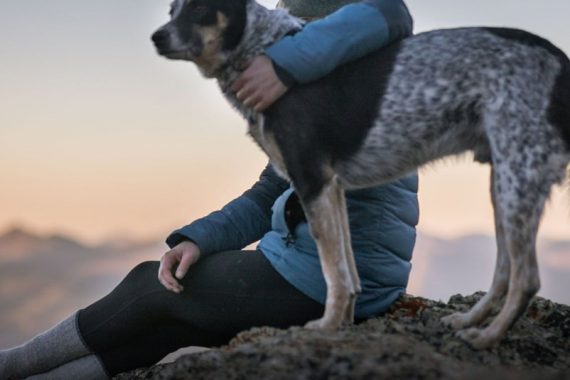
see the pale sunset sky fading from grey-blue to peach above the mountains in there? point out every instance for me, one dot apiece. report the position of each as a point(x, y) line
point(100, 137)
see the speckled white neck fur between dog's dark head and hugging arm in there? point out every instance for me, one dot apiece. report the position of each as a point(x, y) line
point(263, 27)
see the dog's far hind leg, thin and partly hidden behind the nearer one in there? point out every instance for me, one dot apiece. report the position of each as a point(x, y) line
point(499, 286)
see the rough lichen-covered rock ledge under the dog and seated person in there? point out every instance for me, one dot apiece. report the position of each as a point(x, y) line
point(408, 342)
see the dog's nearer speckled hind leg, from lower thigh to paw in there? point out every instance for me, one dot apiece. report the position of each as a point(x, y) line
point(520, 200)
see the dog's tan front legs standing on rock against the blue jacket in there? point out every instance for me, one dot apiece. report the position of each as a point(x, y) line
point(327, 229)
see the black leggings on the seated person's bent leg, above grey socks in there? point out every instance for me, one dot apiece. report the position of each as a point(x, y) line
point(140, 321)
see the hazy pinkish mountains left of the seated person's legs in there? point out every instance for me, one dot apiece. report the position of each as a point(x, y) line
point(45, 278)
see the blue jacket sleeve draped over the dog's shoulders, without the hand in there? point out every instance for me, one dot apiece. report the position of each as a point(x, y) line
point(345, 35)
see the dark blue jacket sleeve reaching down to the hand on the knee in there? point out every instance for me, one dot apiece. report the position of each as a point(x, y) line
point(241, 222)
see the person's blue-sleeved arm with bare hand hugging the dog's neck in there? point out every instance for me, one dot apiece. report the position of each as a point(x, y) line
point(347, 34)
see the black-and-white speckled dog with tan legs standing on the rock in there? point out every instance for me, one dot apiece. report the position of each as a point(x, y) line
point(503, 94)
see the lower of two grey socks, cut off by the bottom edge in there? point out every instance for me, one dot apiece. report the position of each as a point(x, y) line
point(85, 368)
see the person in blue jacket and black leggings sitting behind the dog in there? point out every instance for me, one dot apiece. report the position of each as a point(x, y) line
point(208, 289)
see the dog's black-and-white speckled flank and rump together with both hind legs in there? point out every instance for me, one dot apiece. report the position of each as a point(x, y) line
point(473, 94)
